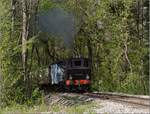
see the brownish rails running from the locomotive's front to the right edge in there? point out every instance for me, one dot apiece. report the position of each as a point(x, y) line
point(125, 98)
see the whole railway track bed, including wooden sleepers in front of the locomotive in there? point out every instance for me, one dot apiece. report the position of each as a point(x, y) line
point(70, 99)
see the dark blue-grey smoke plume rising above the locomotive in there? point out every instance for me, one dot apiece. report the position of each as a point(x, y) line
point(59, 23)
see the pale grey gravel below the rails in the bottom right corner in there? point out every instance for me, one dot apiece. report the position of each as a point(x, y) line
point(111, 107)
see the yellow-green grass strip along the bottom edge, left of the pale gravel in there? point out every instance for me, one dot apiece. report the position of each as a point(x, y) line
point(79, 109)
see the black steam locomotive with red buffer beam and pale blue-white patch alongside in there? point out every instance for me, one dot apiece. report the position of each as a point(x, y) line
point(71, 74)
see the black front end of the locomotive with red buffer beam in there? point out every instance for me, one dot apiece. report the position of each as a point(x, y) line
point(78, 74)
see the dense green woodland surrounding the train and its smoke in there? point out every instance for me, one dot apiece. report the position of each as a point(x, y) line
point(113, 34)
